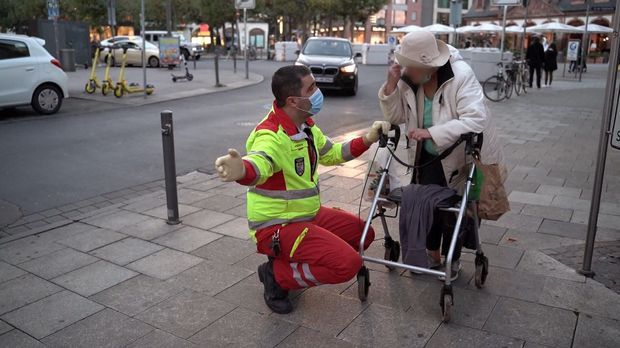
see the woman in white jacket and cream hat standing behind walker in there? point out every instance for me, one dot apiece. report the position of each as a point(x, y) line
point(437, 96)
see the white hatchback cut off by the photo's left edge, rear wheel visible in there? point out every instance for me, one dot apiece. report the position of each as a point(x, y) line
point(30, 75)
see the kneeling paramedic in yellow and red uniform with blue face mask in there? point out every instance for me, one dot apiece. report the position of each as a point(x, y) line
point(307, 244)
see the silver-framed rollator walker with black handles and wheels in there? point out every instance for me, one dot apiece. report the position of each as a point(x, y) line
point(392, 247)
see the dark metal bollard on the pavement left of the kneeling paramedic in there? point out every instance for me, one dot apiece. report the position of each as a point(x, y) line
point(170, 172)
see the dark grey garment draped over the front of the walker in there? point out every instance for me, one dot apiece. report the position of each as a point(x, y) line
point(418, 204)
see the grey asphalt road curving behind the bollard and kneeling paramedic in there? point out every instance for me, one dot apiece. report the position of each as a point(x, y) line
point(91, 148)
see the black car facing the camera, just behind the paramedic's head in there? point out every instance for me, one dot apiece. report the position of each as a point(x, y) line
point(332, 63)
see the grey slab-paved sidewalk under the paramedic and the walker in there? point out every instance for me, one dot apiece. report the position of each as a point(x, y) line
point(117, 275)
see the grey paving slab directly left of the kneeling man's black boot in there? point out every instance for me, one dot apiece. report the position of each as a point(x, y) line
point(210, 277)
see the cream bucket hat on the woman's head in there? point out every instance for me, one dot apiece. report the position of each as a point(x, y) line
point(421, 49)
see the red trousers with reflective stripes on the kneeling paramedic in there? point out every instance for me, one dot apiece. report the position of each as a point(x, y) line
point(321, 251)
